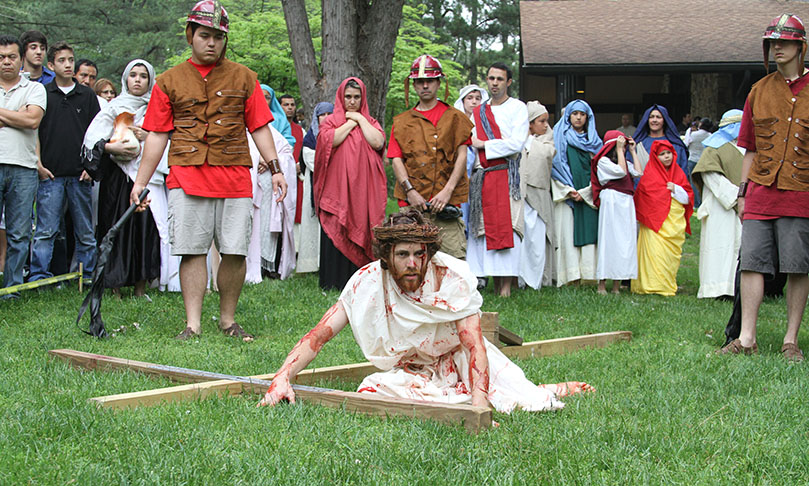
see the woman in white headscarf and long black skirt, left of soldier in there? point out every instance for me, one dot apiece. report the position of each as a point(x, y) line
point(112, 145)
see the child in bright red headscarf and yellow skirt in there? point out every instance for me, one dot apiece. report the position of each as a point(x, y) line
point(663, 204)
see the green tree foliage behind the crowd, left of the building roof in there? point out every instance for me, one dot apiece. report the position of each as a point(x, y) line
point(466, 35)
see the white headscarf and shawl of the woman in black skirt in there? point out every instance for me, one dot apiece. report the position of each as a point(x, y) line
point(104, 123)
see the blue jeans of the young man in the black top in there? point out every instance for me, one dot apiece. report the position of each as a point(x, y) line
point(52, 197)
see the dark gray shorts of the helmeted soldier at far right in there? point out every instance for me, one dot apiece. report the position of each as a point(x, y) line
point(773, 245)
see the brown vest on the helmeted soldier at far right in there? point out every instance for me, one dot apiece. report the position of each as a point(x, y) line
point(781, 122)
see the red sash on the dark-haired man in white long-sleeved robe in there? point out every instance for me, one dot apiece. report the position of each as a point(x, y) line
point(495, 200)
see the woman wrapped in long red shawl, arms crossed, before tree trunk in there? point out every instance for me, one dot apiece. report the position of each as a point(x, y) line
point(350, 185)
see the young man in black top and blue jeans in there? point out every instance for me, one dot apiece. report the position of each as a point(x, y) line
point(63, 183)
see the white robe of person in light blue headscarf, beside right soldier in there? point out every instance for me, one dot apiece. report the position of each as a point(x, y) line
point(720, 236)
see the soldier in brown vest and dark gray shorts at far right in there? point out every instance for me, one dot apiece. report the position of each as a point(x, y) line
point(774, 192)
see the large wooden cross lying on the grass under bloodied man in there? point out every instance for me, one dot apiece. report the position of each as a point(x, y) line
point(202, 384)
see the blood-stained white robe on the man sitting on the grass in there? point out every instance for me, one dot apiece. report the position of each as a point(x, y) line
point(413, 337)
